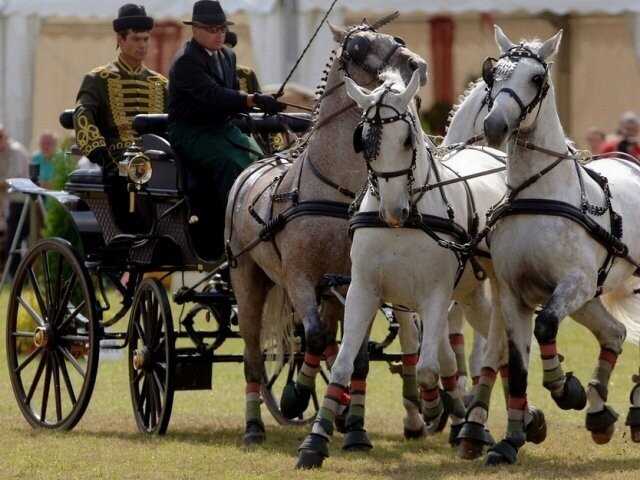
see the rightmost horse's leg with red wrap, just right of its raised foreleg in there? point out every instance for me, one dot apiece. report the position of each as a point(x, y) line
point(610, 334)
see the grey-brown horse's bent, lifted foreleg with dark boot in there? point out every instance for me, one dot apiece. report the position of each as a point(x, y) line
point(296, 395)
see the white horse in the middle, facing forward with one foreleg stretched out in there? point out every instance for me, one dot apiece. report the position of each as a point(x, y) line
point(418, 266)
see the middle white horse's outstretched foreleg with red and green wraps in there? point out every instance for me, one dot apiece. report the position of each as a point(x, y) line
point(360, 307)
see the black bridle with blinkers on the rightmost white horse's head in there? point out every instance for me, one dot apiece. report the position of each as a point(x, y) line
point(514, 55)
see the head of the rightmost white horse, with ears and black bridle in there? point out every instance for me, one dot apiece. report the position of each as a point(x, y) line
point(518, 83)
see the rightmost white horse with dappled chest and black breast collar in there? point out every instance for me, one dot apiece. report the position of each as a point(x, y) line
point(557, 242)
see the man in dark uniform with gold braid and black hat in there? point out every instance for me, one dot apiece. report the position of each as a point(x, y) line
point(111, 95)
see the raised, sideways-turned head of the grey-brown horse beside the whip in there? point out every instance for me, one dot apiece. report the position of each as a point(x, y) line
point(365, 53)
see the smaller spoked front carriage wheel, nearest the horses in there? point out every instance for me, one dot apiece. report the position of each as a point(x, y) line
point(151, 357)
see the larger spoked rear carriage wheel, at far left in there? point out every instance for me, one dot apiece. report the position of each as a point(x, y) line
point(52, 336)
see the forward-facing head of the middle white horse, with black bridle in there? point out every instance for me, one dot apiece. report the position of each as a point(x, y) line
point(390, 137)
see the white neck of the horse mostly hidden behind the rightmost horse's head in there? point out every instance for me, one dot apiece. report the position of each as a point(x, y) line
point(466, 121)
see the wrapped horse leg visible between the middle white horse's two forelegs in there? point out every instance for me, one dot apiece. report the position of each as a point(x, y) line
point(414, 426)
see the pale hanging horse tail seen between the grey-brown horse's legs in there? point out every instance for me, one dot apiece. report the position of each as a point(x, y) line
point(278, 332)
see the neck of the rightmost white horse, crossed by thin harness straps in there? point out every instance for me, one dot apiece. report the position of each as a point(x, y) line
point(522, 164)
